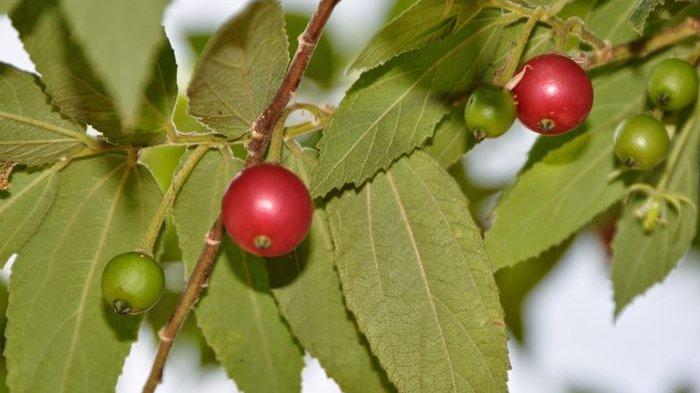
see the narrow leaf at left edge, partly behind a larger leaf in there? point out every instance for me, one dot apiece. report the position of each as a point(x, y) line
point(23, 208)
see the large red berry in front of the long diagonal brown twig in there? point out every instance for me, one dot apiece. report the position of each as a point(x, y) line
point(267, 200)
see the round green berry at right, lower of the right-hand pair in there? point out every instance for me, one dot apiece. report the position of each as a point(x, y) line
point(641, 142)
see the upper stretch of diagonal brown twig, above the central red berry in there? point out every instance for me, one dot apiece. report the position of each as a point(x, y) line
point(262, 128)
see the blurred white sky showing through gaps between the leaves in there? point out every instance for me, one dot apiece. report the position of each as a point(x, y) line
point(653, 348)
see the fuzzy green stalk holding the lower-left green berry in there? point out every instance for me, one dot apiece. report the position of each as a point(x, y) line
point(166, 203)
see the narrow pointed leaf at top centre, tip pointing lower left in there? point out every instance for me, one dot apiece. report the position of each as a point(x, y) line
point(423, 23)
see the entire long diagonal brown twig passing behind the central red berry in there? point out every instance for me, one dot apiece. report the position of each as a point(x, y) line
point(256, 146)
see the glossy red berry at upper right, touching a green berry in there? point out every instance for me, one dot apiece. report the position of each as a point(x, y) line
point(553, 87)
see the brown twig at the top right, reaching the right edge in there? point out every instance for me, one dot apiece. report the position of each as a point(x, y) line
point(645, 46)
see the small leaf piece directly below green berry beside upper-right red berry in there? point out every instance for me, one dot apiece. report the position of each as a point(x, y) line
point(451, 139)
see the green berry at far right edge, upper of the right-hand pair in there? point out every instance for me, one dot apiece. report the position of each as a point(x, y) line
point(673, 84)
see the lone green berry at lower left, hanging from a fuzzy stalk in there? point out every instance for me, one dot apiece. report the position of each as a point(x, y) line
point(132, 283)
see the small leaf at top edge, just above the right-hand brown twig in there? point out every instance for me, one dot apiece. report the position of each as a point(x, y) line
point(611, 20)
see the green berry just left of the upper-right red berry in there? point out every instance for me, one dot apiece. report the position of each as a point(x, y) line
point(490, 112)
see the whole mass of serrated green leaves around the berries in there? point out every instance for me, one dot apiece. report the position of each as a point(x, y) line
point(395, 287)
